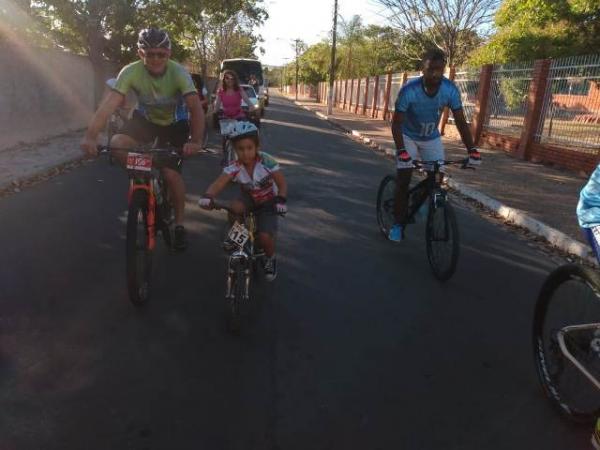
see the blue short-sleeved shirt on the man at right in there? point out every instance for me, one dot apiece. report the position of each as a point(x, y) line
point(422, 112)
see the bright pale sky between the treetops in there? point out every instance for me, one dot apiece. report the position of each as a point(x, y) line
point(309, 20)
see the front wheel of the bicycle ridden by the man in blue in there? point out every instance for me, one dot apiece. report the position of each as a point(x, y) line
point(442, 240)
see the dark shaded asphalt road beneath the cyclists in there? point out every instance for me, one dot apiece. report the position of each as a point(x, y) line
point(354, 346)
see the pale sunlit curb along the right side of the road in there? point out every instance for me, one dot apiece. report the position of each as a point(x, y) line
point(511, 215)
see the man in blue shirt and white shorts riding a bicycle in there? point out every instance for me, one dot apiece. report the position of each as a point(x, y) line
point(419, 106)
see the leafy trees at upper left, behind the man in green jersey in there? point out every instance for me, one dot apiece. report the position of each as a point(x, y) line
point(106, 30)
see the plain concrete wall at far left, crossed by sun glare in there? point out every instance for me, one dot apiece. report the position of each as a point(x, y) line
point(43, 93)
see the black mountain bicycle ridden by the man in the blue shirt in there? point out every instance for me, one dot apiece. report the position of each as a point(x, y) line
point(441, 228)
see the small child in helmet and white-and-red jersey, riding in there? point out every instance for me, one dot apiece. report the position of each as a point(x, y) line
point(263, 186)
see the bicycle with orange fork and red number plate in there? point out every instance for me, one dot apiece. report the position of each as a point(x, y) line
point(149, 212)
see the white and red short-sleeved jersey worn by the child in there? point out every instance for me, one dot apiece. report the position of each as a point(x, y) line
point(260, 185)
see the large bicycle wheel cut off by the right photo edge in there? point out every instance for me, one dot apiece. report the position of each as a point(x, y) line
point(570, 296)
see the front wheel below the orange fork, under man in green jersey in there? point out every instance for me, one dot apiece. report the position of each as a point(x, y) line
point(138, 256)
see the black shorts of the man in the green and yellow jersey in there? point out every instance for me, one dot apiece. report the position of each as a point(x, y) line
point(145, 132)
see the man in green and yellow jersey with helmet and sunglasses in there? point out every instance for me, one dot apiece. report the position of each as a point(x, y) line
point(168, 109)
